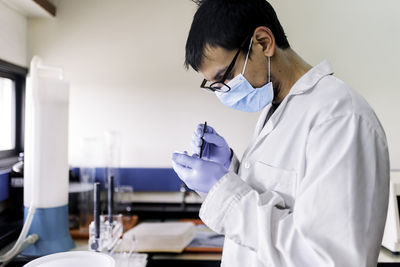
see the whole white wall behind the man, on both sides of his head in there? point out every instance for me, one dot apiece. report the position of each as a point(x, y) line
point(124, 60)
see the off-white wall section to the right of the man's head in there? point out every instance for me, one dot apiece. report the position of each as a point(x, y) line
point(361, 39)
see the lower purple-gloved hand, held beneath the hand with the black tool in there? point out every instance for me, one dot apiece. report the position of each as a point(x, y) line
point(198, 174)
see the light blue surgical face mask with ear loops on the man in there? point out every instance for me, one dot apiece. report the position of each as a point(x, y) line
point(243, 96)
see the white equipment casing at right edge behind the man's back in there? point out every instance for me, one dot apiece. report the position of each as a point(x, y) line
point(391, 236)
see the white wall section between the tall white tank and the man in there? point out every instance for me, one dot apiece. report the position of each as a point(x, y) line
point(124, 60)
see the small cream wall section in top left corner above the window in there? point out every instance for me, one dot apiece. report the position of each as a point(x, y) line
point(13, 36)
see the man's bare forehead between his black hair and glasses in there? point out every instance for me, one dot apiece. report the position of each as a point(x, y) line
point(214, 60)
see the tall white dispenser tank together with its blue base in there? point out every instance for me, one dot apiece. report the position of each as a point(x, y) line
point(46, 158)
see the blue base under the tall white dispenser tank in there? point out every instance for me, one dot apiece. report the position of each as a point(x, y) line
point(51, 225)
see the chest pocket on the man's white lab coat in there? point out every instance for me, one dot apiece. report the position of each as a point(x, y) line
point(282, 181)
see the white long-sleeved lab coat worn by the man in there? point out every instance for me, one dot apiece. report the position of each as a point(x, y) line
point(312, 187)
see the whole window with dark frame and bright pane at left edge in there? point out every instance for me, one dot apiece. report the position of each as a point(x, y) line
point(12, 90)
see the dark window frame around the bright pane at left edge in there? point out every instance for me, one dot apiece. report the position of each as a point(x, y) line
point(18, 75)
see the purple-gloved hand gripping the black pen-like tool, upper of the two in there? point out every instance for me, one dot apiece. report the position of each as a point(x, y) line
point(215, 147)
